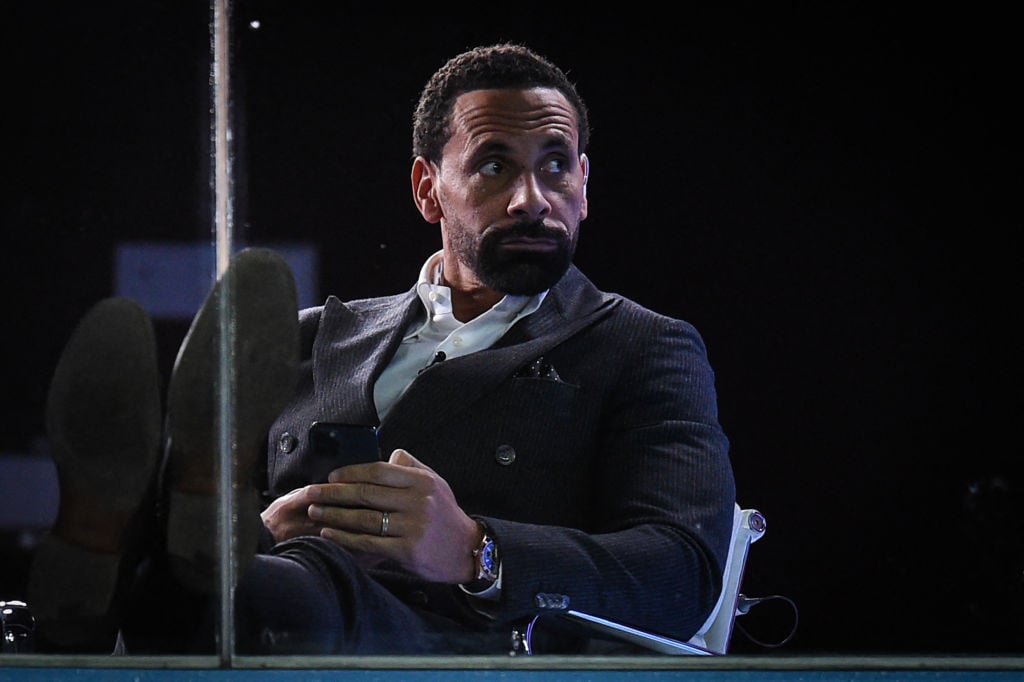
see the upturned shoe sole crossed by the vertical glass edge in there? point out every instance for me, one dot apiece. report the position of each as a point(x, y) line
point(262, 317)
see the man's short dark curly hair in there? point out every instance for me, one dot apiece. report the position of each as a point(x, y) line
point(501, 66)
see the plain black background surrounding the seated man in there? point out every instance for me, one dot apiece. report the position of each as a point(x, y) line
point(830, 194)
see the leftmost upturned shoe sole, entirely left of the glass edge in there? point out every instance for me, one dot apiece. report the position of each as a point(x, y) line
point(104, 425)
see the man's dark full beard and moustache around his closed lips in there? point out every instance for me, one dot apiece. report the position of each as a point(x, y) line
point(521, 273)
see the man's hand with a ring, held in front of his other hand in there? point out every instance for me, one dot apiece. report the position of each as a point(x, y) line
point(428, 532)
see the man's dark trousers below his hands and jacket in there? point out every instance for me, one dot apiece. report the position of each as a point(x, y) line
point(309, 596)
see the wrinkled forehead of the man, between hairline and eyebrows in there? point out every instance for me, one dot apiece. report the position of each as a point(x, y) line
point(514, 111)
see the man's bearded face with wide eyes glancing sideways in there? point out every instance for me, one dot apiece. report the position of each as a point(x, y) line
point(511, 190)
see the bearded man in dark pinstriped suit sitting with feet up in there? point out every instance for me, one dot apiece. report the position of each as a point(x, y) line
point(548, 446)
